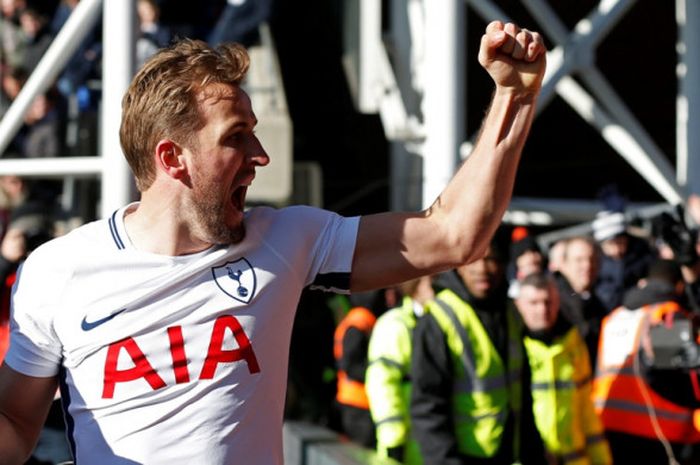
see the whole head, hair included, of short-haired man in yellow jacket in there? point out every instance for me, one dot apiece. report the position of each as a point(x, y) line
point(538, 301)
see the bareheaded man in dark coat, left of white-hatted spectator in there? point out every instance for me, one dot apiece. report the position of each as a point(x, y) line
point(575, 281)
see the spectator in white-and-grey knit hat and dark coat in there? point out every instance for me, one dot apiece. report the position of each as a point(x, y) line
point(624, 259)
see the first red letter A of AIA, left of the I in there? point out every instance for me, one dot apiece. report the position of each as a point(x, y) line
point(142, 368)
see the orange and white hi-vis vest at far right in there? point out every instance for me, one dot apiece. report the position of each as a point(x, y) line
point(622, 397)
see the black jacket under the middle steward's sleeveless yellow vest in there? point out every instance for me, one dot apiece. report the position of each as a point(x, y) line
point(431, 395)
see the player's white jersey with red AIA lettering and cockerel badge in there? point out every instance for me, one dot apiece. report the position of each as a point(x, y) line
point(169, 360)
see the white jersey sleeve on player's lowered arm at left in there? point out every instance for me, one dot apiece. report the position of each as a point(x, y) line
point(34, 347)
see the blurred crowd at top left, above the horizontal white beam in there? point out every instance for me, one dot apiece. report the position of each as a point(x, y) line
point(63, 120)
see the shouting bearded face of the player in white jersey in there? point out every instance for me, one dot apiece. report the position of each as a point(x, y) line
point(222, 162)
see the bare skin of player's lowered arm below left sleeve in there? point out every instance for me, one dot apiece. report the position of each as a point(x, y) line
point(24, 404)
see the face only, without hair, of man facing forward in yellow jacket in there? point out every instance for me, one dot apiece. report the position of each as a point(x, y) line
point(538, 307)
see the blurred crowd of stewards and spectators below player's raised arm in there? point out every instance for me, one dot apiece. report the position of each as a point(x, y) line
point(581, 350)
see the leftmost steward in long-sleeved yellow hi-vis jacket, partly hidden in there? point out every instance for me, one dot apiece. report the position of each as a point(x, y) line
point(388, 376)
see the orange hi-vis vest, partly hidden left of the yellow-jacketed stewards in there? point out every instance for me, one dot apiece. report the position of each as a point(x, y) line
point(351, 392)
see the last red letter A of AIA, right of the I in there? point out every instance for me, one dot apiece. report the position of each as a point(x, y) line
point(217, 354)
